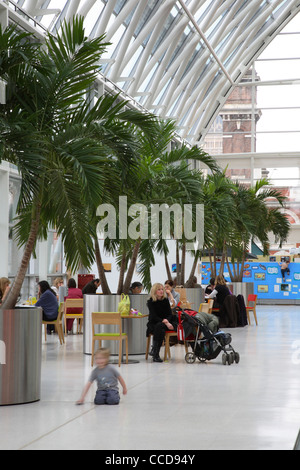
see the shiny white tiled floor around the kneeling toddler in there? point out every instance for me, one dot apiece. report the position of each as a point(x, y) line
point(177, 406)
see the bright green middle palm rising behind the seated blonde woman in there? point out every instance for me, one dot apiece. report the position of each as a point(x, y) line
point(165, 177)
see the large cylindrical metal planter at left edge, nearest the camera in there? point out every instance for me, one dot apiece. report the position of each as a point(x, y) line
point(20, 355)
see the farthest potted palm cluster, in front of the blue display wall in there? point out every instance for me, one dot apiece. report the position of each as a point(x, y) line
point(237, 215)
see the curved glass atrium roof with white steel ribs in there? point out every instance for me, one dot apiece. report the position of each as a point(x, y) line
point(177, 58)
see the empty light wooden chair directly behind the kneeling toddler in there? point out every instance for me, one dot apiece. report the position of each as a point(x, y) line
point(108, 318)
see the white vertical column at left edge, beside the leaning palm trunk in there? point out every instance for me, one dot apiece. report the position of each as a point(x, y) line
point(4, 221)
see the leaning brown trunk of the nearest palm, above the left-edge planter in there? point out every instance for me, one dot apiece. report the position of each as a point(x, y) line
point(14, 292)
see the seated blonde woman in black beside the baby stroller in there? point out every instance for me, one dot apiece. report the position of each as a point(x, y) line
point(161, 318)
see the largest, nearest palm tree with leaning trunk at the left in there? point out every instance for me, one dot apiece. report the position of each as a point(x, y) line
point(57, 140)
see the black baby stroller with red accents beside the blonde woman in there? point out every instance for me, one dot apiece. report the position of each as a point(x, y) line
point(210, 345)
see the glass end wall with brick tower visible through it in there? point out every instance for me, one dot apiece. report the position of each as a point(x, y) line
point(257, 134)
